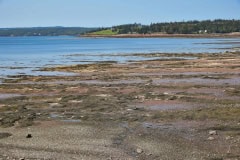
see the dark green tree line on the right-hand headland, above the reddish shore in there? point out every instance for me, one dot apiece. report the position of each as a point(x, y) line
point(189, 27)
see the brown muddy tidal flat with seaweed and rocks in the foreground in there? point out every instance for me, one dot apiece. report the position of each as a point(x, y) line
point(167, 108)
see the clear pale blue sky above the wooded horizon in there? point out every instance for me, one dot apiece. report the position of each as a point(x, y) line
point(106, 13)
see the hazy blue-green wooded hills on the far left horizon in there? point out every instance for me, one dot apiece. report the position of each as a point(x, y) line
point(44, 31)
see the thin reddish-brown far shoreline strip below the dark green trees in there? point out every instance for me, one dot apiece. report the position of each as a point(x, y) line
point(215, 35)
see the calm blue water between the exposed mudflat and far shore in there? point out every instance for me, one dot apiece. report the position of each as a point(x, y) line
point(32, 53)
